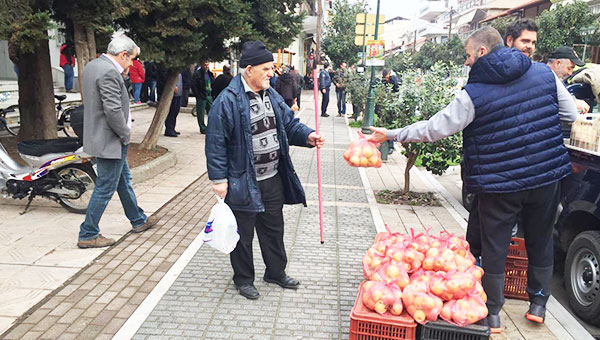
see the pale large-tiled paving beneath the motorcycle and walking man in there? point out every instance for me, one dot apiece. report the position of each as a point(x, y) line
point(38, 251)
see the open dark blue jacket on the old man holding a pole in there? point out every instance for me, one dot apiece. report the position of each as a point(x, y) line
point(229, 152)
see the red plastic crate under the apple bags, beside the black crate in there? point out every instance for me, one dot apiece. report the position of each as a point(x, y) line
point(369, 325)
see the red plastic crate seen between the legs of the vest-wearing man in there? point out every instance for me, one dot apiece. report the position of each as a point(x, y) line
point(515, 270)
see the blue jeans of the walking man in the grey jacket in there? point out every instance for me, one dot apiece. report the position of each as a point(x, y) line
point(113, 175)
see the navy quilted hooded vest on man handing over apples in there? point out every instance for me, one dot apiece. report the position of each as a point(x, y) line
point(514, 142)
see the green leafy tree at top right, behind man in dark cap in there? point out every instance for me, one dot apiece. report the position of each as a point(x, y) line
point(567, 24)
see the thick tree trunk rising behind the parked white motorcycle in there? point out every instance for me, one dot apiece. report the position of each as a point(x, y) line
point(36, 94)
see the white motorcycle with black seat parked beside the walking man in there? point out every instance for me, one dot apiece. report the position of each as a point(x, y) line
point(56, 169)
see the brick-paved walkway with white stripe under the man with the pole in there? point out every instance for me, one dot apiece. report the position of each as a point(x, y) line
point(104, 299)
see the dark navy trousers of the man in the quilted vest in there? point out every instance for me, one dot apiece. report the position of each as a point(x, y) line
point(498, 214)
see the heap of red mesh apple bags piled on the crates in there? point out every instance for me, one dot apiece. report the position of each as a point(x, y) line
point(428, 276)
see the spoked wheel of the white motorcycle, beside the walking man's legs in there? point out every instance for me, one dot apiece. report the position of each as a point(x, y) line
point(82, 173)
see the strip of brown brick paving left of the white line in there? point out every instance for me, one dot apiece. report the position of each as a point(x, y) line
point(114, 285)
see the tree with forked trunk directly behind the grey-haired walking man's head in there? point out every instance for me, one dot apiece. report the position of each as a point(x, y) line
point(83, 20)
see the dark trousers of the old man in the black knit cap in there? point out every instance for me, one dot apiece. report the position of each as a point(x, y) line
point(269, 228)
